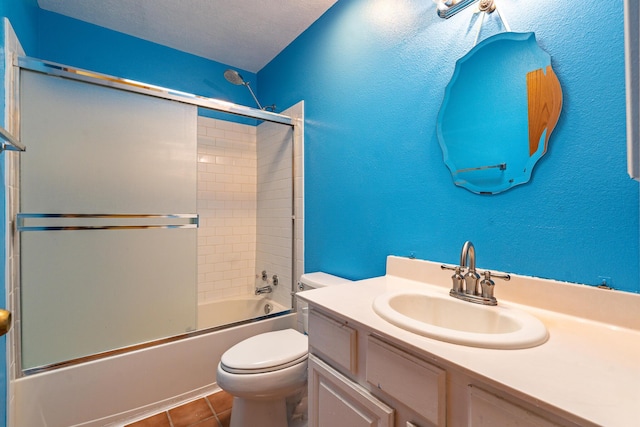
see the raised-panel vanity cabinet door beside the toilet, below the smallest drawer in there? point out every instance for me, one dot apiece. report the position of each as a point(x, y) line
point(335, 401)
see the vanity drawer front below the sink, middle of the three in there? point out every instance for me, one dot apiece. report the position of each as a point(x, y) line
point(418, 384)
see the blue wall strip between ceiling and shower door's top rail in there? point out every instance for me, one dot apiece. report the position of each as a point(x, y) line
point(76, 43)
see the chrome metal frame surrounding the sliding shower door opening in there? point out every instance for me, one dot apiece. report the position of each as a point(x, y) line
point(73, 73)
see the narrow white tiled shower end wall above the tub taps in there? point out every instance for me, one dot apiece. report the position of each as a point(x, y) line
point(274, 217)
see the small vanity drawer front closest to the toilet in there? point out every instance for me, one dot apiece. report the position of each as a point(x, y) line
point(333, 339)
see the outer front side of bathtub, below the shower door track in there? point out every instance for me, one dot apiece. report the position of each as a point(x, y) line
point(118, 390)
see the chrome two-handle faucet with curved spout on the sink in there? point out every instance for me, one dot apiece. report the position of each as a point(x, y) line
point(469, 287)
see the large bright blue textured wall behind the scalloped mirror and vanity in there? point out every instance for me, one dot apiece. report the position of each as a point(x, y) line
point(372, 74)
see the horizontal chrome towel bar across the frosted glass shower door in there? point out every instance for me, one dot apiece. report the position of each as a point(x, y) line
point(63, 222)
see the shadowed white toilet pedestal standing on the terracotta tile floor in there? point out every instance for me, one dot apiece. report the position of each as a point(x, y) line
point(259, 412)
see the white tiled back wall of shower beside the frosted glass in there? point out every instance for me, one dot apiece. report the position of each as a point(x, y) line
point(227, 208)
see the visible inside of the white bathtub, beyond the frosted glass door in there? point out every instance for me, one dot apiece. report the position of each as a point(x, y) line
point(231, 310)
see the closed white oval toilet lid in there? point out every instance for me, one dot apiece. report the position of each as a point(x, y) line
point(266, 352)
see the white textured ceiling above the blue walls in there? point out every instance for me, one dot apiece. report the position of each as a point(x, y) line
point(246, 34)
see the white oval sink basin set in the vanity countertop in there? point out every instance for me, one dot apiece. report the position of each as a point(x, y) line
point(448, 319)
